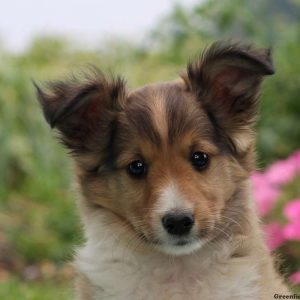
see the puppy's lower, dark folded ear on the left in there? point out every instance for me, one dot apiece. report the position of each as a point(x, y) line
point(83, 110)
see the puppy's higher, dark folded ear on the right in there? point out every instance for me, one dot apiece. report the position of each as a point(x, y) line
point(226, 80)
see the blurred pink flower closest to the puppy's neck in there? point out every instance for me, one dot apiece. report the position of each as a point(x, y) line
point(265, 194)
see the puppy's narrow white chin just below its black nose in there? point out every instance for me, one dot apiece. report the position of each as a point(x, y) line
point(178, 249)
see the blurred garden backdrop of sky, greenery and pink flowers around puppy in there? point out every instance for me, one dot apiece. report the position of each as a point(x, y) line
point(144, 41)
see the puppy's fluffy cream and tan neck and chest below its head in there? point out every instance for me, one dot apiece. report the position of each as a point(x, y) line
point(114, 264)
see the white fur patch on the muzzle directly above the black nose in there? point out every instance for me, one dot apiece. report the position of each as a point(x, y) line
point(171, 199)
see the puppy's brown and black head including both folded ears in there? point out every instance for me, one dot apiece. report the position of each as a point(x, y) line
point(169, 158)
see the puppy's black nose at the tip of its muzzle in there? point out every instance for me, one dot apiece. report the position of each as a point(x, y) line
point(178, 223)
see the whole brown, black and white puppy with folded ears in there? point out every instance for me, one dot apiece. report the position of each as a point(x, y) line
point(163, 171)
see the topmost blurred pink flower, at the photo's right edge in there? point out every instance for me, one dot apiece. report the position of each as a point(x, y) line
point(282, 171)
